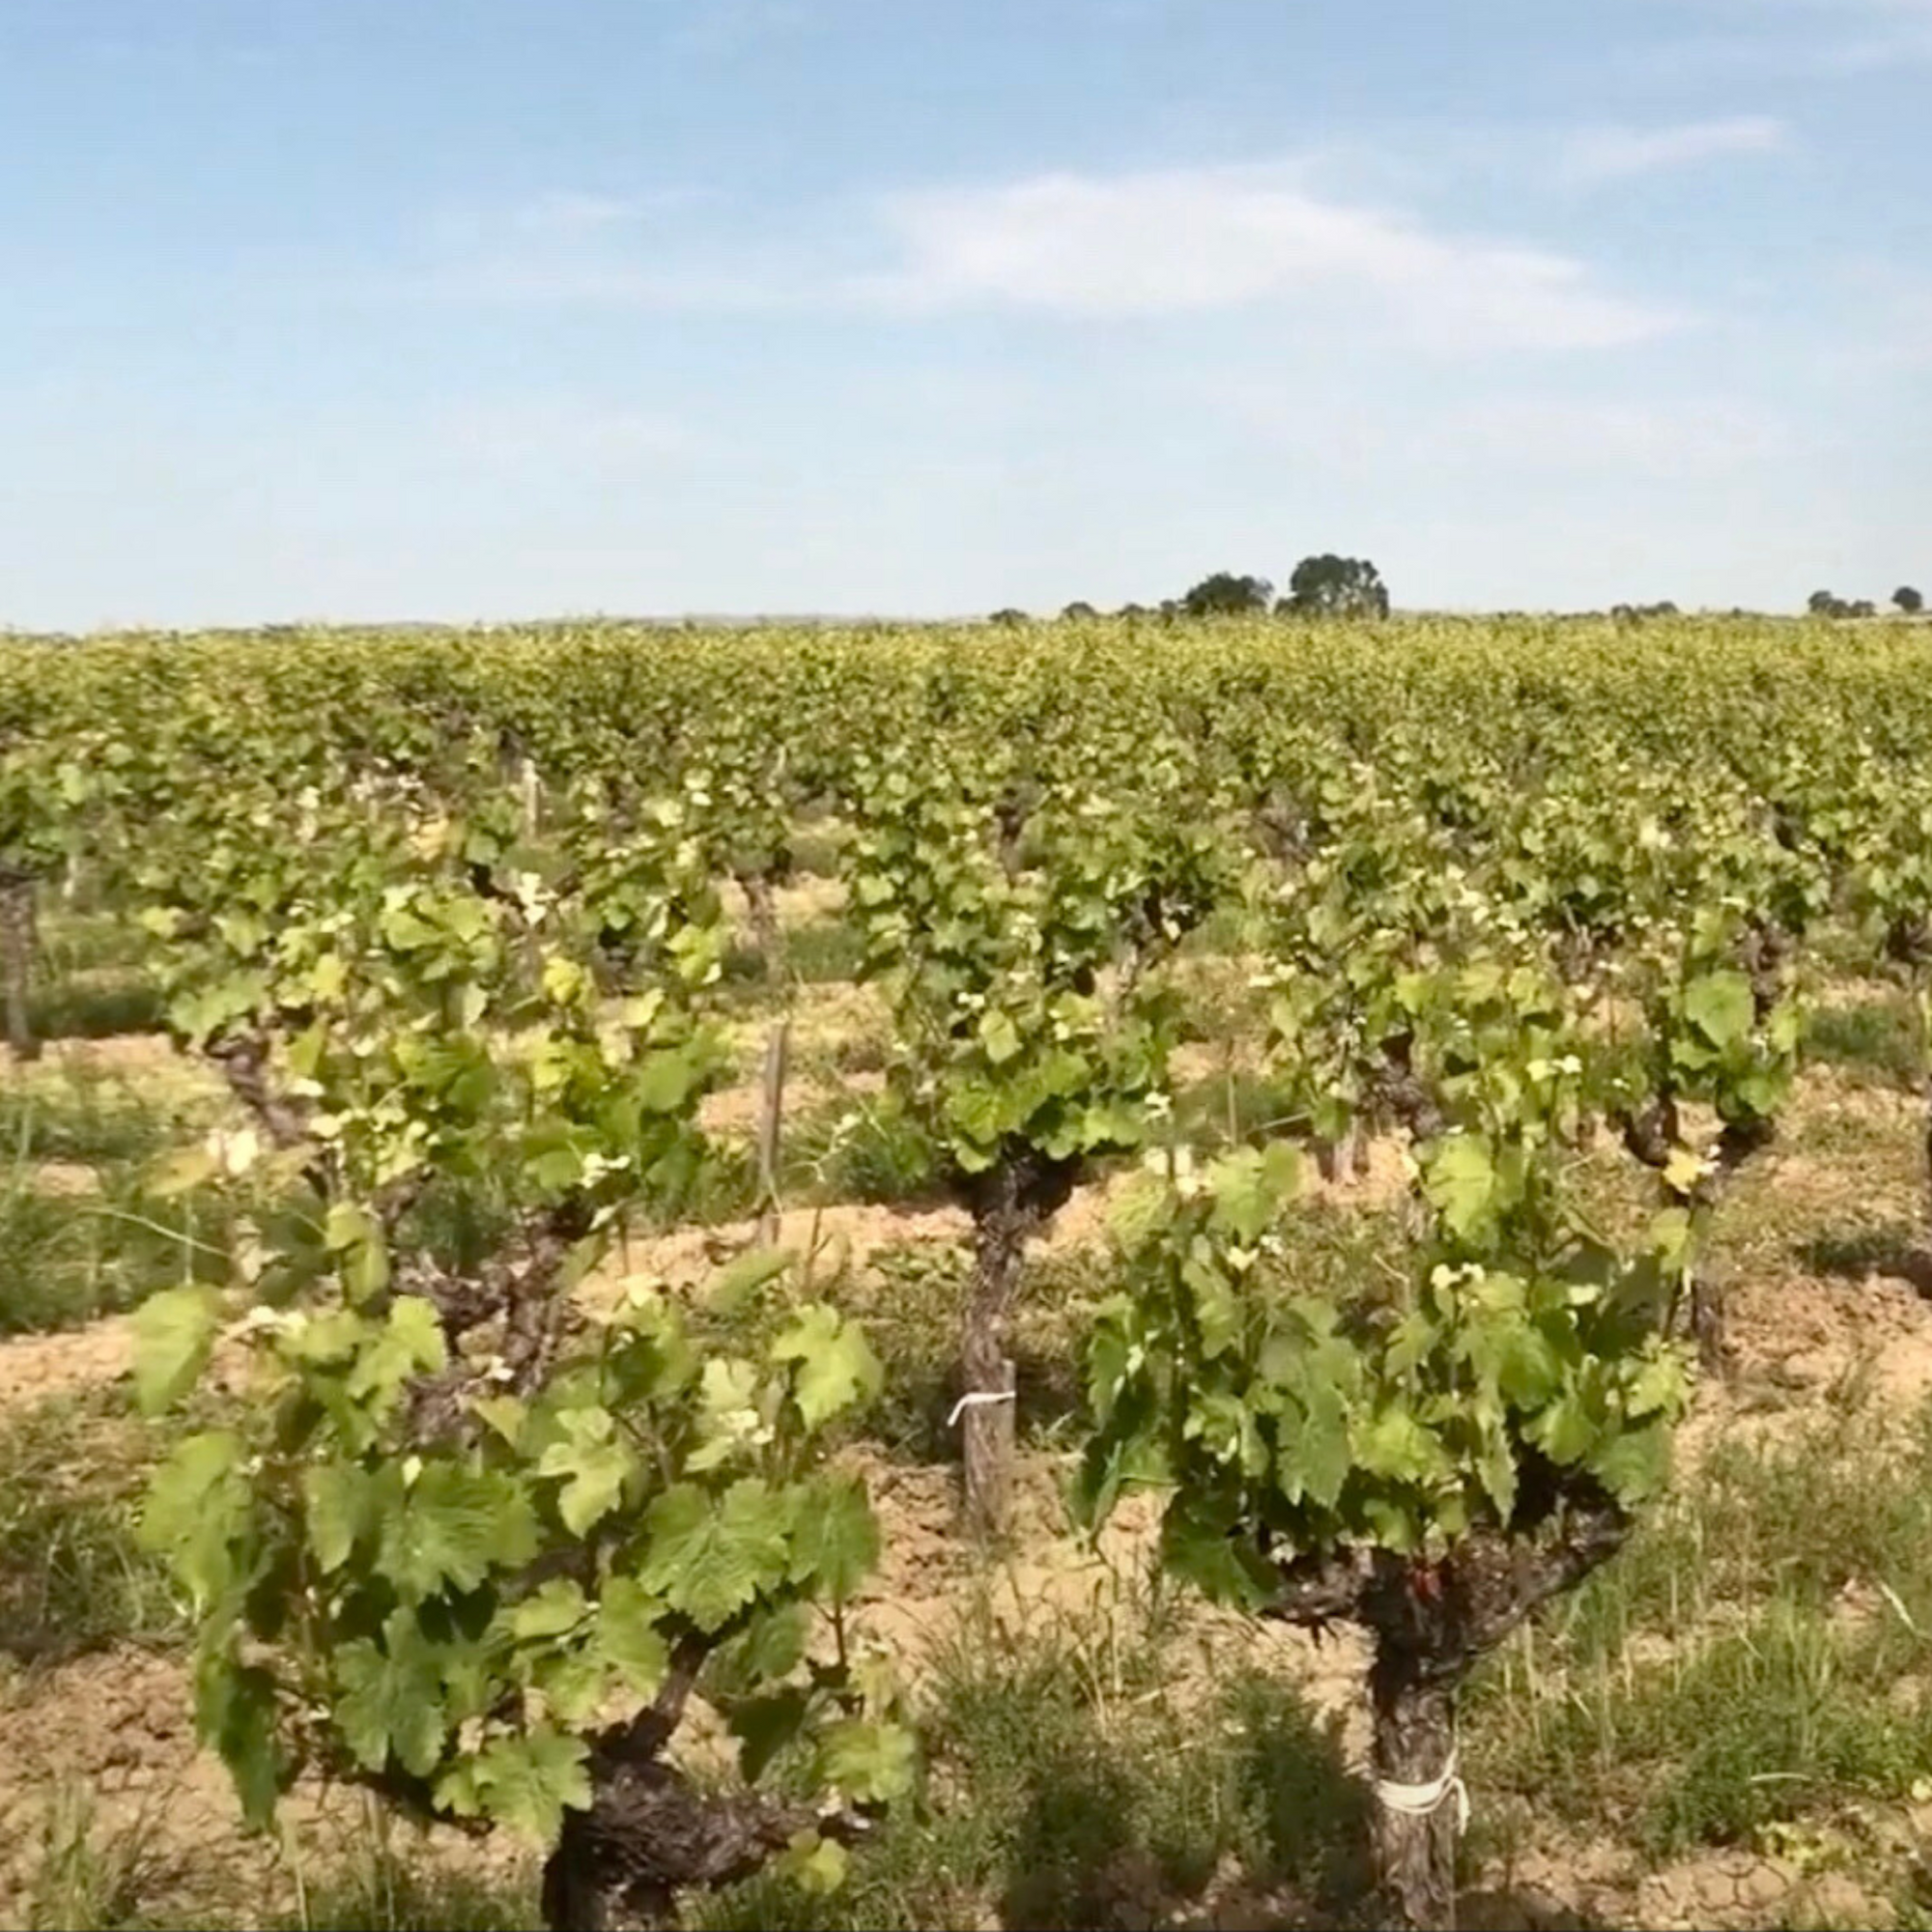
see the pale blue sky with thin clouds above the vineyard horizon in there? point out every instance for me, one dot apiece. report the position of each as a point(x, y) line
point(513, 308)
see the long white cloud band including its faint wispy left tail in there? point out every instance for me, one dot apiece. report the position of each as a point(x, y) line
point(1081, 246)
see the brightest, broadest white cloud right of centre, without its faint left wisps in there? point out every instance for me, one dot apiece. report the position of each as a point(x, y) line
point(1220, 239)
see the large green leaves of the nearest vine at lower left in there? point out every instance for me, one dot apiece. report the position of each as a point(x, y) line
point(658, 1485)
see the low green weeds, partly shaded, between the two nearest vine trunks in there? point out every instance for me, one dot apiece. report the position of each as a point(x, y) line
point(1075, 1782)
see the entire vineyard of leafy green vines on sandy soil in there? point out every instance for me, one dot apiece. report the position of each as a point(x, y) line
point(1118, 1274)
